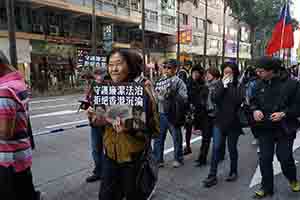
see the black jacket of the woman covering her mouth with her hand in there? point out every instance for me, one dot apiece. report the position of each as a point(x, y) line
point(228, 102)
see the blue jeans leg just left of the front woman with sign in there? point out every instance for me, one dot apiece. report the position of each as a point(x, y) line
point(97, 149)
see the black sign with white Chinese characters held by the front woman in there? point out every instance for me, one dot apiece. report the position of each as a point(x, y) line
point(124, 103)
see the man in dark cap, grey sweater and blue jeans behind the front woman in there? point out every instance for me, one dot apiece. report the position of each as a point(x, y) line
point(172, 98)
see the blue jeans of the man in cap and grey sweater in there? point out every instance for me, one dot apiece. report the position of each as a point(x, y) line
point(159, 143)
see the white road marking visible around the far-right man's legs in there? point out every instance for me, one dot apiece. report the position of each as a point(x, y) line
point(256, 179)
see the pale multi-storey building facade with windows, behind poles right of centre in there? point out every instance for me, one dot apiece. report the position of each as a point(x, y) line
point(161, 25)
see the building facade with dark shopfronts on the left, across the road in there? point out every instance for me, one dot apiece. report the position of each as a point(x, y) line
point(54, 37)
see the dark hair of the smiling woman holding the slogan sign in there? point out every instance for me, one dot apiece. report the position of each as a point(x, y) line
point(133, 60)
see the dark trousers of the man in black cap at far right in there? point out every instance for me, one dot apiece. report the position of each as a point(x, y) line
point(284, 153)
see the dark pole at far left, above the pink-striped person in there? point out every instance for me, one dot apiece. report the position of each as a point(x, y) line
point(11, 23)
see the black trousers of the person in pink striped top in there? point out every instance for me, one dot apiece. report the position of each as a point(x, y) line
point(16, 186)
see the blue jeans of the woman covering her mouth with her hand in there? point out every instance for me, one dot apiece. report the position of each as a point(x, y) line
point(232, 142)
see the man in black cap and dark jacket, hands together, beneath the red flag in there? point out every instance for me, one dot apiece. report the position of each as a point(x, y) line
point(275, 108)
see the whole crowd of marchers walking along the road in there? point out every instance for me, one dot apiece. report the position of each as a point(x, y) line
point(217, 103)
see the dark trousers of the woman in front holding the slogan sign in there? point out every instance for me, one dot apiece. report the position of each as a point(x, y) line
point(119, 181)
